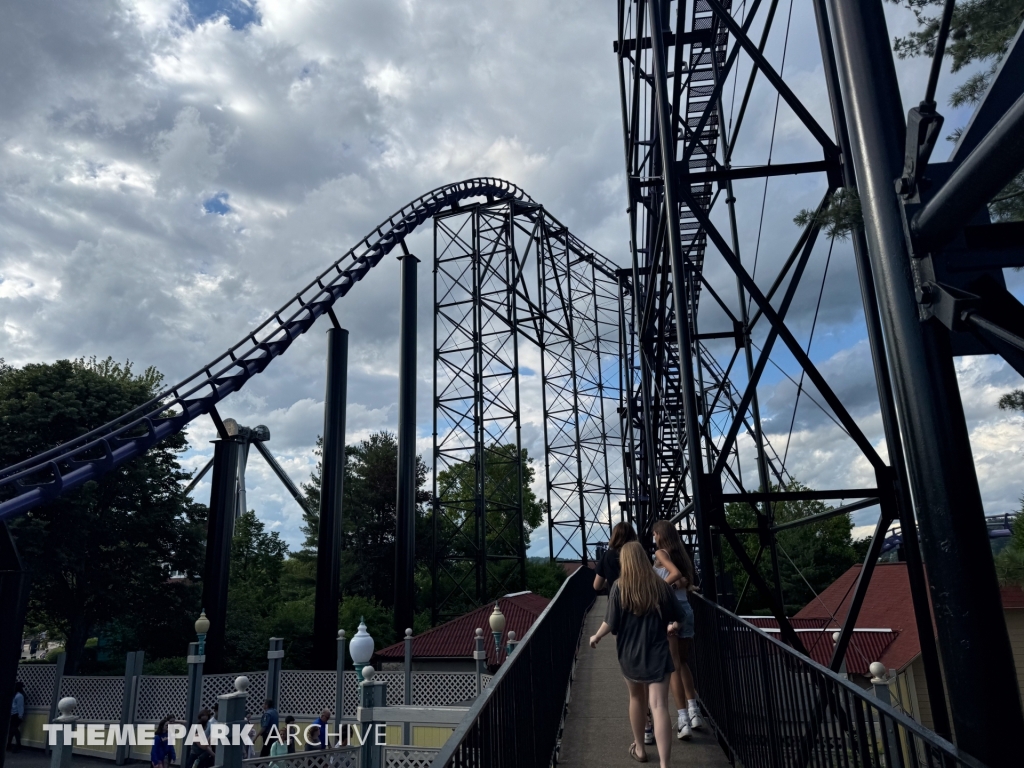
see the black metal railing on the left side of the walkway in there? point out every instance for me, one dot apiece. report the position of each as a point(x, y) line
point(517, 720)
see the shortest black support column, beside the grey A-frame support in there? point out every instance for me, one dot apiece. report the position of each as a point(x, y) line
point(221, 529)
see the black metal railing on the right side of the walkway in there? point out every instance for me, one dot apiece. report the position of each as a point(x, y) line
point(774, 707)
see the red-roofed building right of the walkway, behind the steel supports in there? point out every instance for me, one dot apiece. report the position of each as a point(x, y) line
point(886, 631)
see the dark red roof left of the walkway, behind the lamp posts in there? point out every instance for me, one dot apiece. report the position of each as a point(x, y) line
point(456, 639)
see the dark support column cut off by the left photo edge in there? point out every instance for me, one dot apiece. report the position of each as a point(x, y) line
point(14, 603)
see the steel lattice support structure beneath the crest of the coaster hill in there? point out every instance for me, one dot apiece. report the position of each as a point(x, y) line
point(506, 273)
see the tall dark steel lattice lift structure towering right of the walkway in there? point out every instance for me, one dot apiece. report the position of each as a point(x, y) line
point(693, 399)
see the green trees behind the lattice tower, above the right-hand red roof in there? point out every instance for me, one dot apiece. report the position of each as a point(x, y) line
point(812, 557)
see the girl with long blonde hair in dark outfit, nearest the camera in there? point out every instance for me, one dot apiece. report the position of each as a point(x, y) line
point(643, 612)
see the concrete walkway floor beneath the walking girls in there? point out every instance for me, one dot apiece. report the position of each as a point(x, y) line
point(598, 729)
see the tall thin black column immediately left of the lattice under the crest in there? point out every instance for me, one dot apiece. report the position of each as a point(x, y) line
point(405, 536)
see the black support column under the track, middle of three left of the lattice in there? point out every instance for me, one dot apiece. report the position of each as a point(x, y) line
point(332, 491)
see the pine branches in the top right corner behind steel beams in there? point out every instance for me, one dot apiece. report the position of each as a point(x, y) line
point(980, 31)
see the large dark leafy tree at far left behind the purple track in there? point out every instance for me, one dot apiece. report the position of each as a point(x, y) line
point(103, 556)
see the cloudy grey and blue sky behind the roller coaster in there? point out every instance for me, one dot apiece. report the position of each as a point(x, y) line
point(172, 173)
